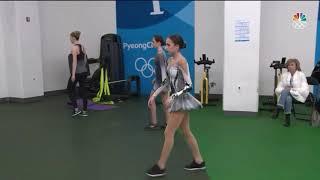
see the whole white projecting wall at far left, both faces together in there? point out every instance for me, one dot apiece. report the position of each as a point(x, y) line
point(21, 57)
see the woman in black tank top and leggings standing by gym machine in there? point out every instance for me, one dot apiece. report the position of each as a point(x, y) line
point(77, 65)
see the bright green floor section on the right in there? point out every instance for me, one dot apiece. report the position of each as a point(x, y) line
point(257, 148)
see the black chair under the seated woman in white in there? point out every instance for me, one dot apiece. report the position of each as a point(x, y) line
point(310, 101)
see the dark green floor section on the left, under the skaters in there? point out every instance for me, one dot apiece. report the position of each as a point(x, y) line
point(40, 141)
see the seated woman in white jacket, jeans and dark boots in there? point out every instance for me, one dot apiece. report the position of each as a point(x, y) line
point(292, 85)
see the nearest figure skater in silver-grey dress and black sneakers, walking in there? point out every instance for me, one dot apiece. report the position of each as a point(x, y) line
point(180, 103)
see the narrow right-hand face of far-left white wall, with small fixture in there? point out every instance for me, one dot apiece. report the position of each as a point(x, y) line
point(29, 43)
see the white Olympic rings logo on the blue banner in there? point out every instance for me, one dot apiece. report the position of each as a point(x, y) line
point(144, 67)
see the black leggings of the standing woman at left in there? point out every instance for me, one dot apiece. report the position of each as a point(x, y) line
point(72, 91)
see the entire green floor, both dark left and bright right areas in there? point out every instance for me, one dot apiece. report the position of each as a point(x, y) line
point(40, 141)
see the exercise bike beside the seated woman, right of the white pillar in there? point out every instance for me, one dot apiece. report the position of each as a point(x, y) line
point(276, 65)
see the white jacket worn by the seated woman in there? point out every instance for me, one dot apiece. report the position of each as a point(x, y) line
point(300, 90)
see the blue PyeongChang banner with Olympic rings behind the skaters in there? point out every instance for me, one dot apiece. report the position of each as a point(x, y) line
point(138, 21)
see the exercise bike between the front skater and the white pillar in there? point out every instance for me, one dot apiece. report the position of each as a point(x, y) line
point(204, 83)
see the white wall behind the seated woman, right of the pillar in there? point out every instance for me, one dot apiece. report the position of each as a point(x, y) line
point(279, 38)
